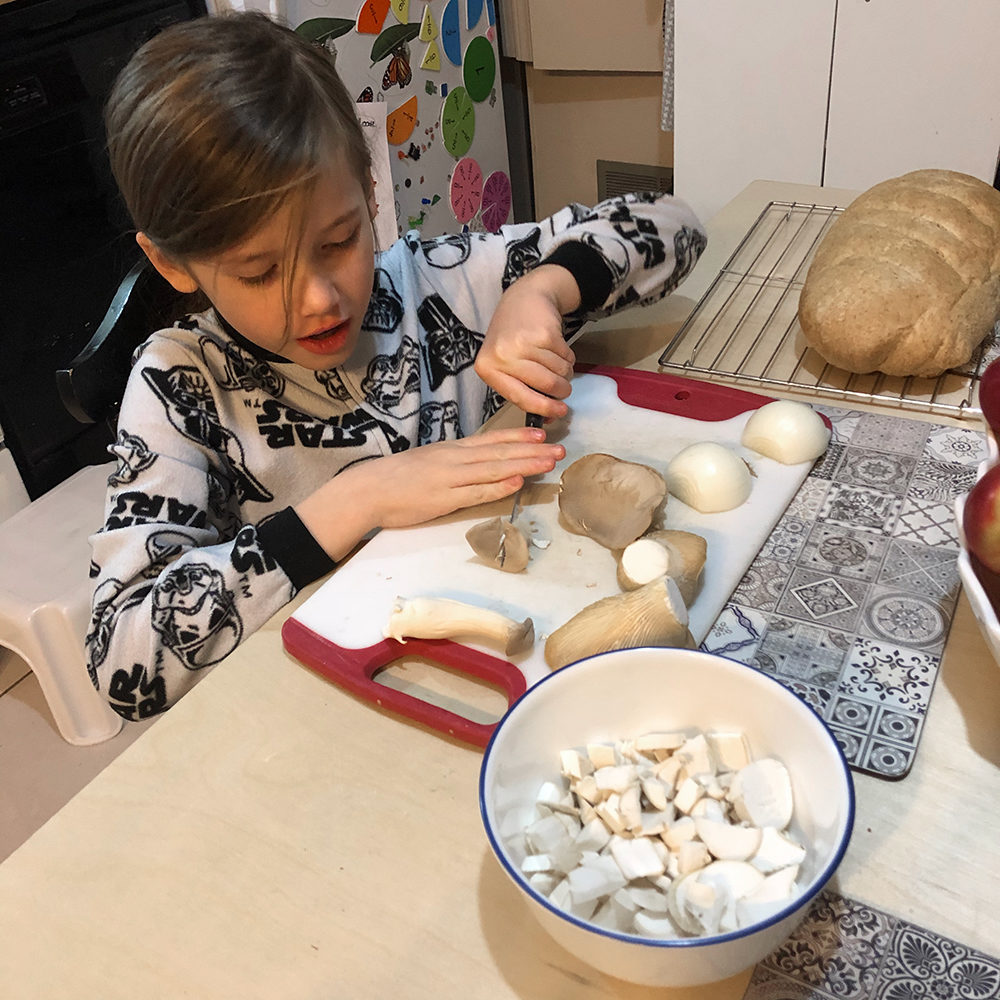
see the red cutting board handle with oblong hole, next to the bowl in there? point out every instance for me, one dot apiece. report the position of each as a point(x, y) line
point(355, 670)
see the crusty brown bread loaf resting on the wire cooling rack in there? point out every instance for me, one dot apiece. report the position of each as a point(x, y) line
point(907, 280)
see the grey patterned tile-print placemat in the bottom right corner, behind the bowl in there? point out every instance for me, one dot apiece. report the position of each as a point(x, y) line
point(844, 950)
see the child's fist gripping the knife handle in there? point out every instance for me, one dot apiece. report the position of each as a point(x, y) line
point(524, 356)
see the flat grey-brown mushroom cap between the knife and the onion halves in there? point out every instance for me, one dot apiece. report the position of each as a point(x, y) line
point(609, 499)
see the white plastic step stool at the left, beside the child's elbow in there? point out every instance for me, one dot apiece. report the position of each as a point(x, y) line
point(45, 592)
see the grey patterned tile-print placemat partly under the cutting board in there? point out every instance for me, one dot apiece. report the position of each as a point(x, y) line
point(851, 598)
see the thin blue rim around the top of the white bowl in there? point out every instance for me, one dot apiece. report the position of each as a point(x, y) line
point(690, 942)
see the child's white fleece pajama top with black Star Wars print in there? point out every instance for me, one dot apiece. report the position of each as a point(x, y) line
point(217, 438)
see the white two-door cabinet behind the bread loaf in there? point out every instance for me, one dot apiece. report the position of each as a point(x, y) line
point(843, 93)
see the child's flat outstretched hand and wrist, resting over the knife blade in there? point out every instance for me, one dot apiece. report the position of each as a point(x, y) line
point(414, 486)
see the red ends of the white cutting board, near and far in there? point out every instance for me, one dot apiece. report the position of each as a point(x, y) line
point(355, 669)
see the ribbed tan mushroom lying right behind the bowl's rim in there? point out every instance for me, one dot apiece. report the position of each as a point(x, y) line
point(652, 615)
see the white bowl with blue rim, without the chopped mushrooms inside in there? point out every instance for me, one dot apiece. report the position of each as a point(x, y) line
point(627, 693)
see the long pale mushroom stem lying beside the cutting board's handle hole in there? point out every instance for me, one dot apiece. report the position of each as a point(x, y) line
point(441, 618)
